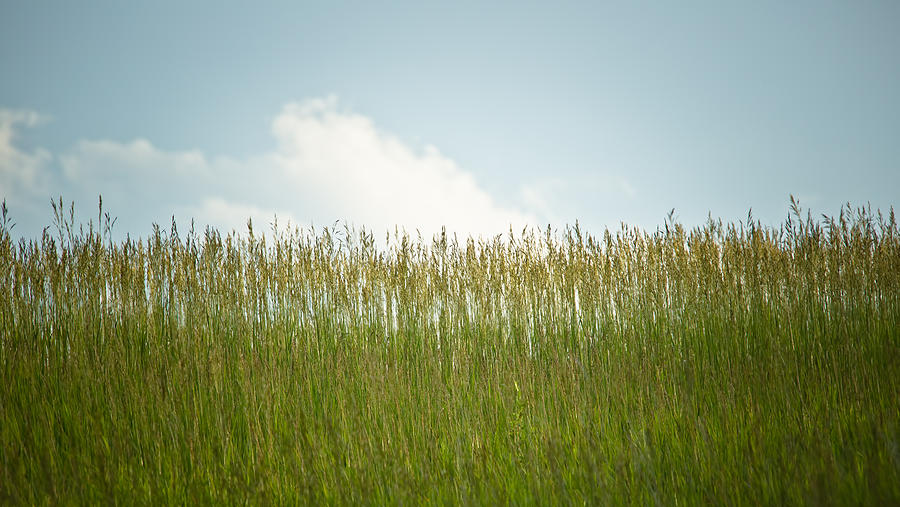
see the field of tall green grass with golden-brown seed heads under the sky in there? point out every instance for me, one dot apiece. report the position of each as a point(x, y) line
point(730, 363)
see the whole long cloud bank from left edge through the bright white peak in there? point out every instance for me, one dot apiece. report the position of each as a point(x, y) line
point(329, 165)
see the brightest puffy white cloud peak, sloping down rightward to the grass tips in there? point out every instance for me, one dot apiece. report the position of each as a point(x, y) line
point(351, 170)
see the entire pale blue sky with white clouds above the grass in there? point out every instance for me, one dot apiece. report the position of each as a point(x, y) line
point(477, 116)
